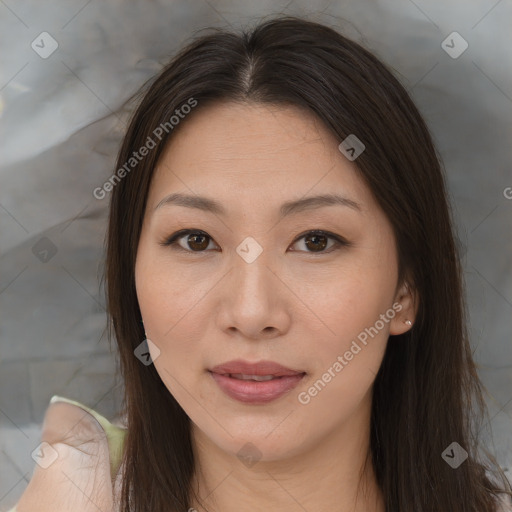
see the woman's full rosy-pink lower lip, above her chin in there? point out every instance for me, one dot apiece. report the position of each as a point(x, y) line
point(256, 392)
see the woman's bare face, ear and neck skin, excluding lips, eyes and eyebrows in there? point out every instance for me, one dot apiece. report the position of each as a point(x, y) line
point(292, 305)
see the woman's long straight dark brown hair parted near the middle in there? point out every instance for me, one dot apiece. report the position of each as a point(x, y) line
point(427, 393)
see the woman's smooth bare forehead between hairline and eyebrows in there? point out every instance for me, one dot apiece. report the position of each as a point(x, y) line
point(253, 155)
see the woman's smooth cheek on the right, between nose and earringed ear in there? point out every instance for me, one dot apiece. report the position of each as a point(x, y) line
point(347, 306)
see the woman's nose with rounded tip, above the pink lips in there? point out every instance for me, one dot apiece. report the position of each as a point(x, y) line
point(254, 302)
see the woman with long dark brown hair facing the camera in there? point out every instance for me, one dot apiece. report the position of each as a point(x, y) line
point(285, 291)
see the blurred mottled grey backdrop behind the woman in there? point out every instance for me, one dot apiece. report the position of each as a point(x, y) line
point(61, 124)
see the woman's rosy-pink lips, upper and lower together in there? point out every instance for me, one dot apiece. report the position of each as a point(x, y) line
point(255, 392)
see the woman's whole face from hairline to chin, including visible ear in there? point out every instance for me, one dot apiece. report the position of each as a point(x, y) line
point(252, 282)
